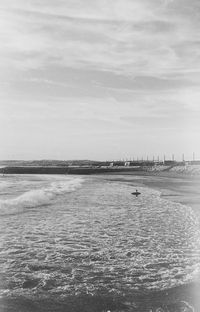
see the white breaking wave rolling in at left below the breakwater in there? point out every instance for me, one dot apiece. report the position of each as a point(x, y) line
point(39, 196)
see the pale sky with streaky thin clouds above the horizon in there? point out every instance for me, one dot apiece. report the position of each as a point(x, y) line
point(99, 79)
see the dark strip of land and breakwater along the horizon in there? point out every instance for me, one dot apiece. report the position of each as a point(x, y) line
point(95, 167)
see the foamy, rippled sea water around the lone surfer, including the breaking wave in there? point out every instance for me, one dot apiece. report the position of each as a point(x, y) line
point(69, 236)
